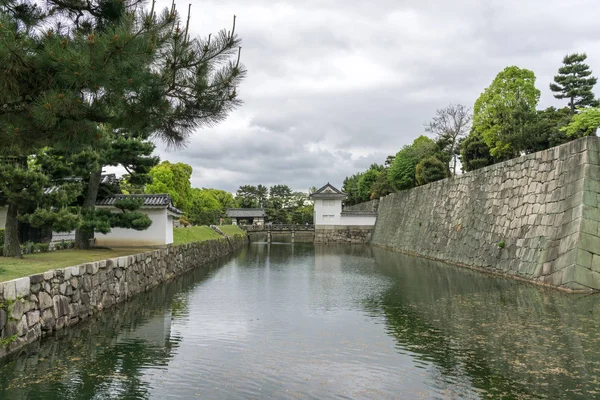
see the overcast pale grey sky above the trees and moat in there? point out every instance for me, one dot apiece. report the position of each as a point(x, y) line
point(336, 85)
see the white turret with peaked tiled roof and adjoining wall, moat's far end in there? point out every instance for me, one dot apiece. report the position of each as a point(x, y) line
point(328, 210)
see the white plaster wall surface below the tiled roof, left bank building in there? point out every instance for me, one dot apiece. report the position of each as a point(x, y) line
point(156, 234)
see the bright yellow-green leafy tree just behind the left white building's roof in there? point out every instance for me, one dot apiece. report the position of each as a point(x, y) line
point(173, 179)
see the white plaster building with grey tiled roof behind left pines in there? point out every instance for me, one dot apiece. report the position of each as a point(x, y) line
point(160, 209)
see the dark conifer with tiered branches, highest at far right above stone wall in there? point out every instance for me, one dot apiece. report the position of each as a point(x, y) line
point(574, 82)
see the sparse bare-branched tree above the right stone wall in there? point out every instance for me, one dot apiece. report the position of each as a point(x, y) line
point(451, 123)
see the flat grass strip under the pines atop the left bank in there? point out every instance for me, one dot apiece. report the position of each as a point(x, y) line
point(12, 268)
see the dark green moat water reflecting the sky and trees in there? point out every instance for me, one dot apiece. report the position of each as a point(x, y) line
point(324, 322)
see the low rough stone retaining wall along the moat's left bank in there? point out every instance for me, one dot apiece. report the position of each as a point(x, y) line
point(41, 304)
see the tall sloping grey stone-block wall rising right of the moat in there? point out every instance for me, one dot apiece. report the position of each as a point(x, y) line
point(535, 217)
